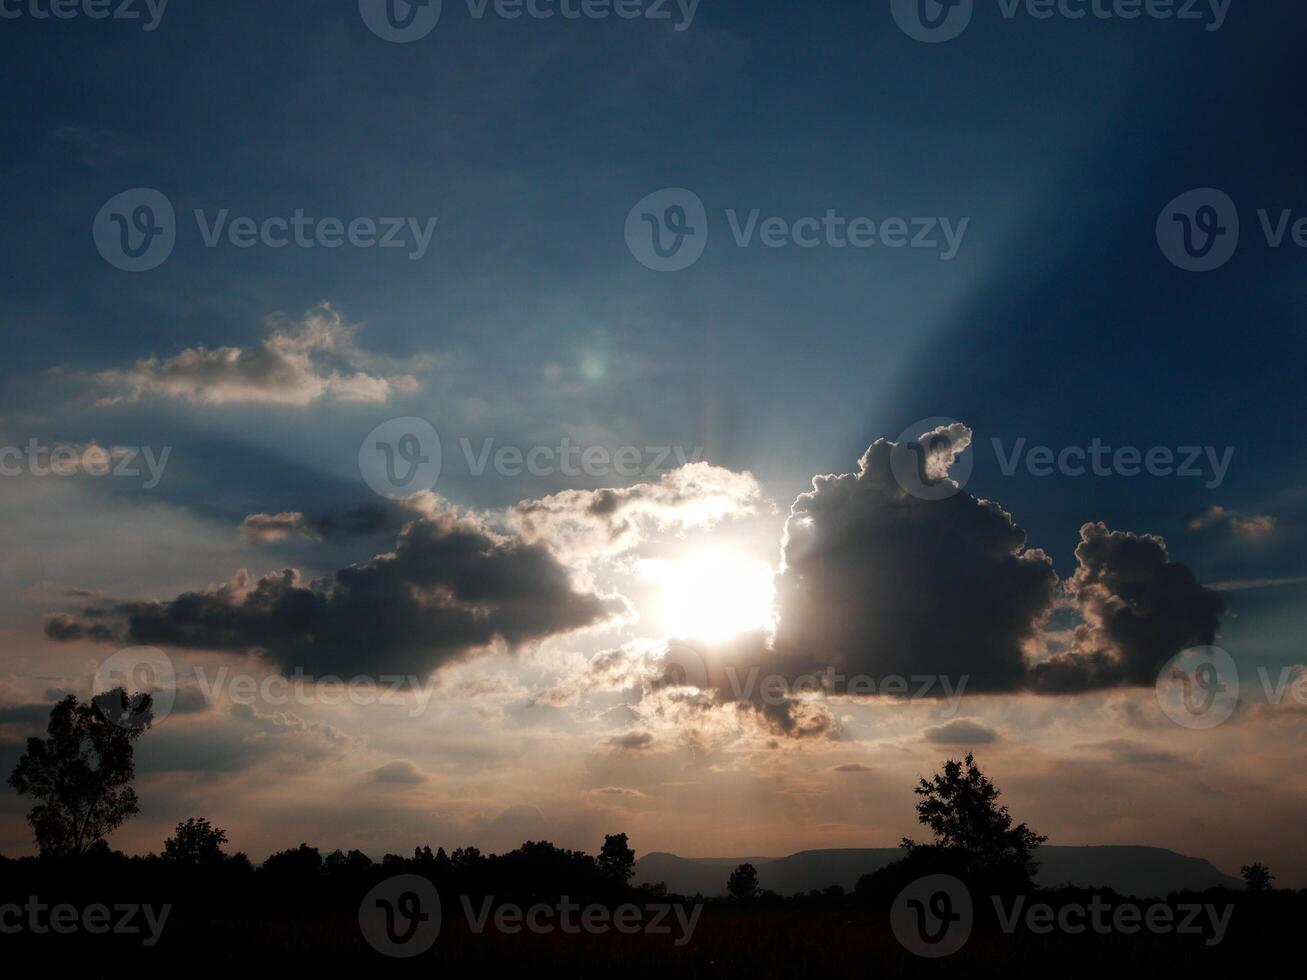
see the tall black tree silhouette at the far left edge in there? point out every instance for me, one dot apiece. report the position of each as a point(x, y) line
point(82, 774)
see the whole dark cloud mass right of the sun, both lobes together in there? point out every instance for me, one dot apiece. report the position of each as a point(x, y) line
point(879, 583)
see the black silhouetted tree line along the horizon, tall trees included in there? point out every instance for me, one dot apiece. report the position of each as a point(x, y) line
point(80, 777)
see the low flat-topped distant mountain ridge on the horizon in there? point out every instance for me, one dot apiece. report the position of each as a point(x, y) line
point(1131, 871)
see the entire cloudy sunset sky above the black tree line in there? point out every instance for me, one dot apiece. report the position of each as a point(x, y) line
point(499, 355)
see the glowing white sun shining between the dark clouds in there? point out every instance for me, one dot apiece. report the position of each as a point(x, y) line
point(712, 595)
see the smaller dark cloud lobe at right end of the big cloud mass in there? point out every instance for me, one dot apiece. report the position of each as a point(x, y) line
point(1139, 611)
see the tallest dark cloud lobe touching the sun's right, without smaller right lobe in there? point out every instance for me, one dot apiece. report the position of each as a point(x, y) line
point(879, 582)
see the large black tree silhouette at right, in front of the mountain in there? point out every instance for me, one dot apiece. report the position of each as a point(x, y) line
point(961, 808)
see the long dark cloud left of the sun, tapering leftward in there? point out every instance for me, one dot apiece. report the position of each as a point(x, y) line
point(449, 589)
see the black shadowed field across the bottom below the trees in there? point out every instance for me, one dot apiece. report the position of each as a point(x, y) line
point(250, 923)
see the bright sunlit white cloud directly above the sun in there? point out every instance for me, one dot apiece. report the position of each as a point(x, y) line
point(594, 523)
